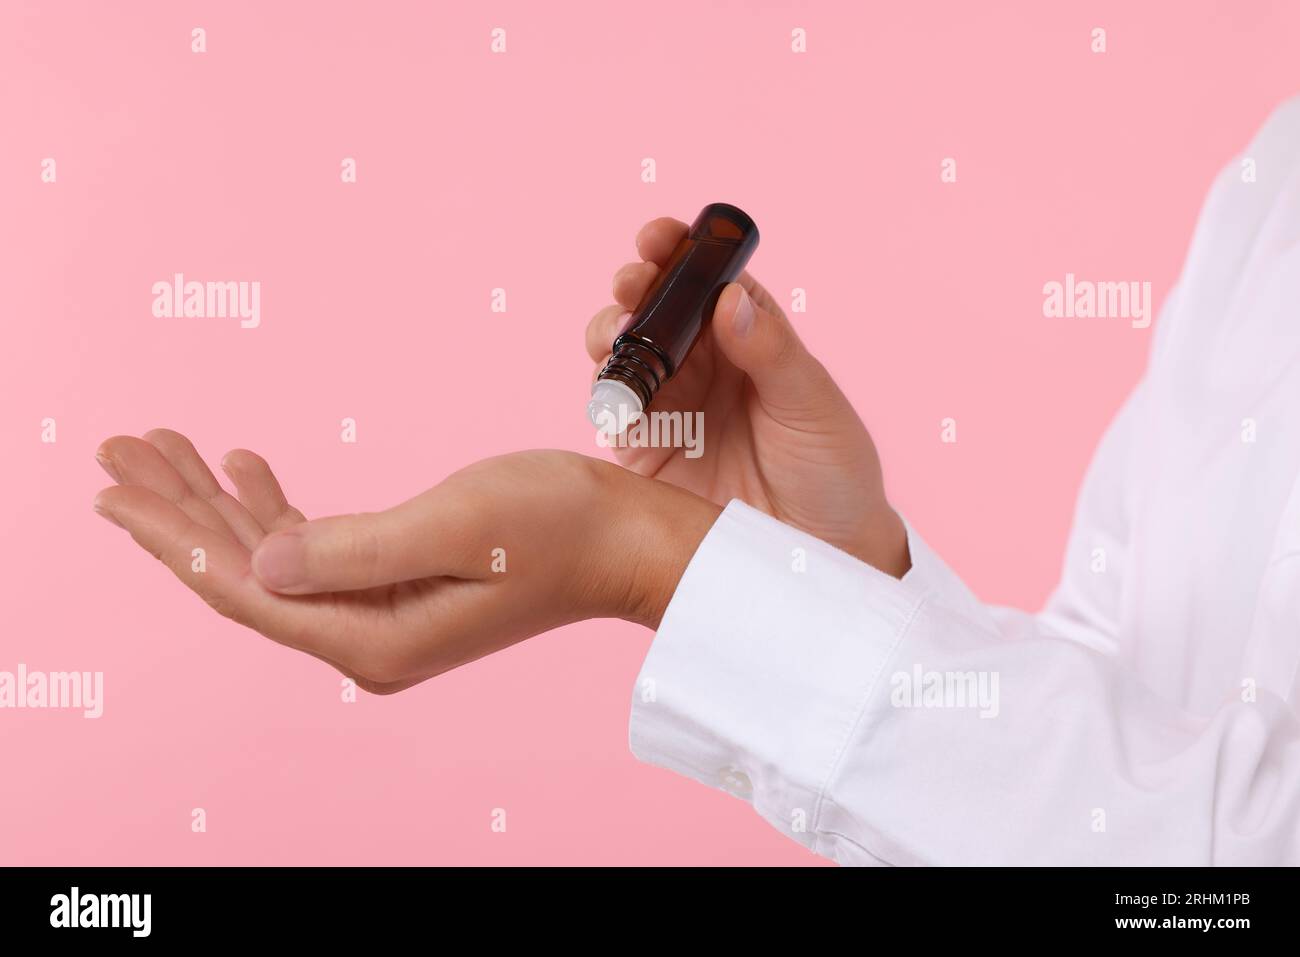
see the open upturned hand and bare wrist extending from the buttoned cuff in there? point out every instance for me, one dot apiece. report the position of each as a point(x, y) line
point(497, 553)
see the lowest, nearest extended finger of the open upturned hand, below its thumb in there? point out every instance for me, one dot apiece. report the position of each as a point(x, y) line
point(223, 578)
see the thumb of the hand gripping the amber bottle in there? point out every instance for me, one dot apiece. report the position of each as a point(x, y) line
point(791, 383)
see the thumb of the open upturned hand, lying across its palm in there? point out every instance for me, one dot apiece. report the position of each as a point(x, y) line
point(346, 552)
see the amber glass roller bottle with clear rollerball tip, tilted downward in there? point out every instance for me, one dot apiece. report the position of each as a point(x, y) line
point(670, 318)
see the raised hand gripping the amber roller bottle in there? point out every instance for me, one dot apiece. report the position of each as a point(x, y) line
point(783, 438)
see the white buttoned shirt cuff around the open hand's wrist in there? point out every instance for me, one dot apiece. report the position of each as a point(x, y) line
point(765, 660)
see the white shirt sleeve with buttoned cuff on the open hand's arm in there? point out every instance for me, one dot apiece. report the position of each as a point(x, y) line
point(883, 721)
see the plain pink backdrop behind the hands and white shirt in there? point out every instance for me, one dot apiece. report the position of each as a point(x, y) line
point(523, 171)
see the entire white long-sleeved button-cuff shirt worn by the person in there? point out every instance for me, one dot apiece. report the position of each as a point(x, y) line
point(1146, 716)
